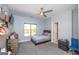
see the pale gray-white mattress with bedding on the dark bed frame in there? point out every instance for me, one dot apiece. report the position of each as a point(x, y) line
point(40, 38)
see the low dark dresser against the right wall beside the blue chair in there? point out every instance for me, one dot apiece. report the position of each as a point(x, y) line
point(63, 44)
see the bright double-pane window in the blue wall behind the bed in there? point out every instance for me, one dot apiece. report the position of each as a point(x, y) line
point(29, 29)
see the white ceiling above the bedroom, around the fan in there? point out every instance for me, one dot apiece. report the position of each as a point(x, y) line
point(34, 8)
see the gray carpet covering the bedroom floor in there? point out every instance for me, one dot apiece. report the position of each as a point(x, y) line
point(28, 48)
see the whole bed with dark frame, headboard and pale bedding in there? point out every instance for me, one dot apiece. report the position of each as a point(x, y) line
point(45, 37)
